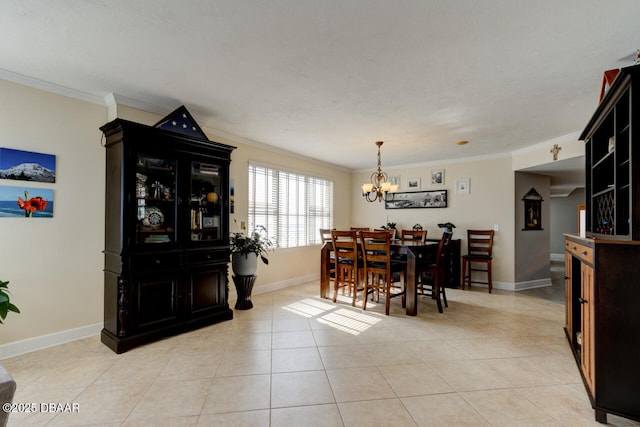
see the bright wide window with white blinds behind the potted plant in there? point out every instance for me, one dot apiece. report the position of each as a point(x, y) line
point(293, 207)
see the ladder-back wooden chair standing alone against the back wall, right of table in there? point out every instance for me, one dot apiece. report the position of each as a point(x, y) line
point(479, 251)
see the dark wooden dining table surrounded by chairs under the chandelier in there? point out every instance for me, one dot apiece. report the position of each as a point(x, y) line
point(417, 253)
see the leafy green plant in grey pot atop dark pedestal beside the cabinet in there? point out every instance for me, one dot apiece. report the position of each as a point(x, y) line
point(246, 248)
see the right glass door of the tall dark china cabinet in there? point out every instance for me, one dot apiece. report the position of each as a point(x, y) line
point(205, 203)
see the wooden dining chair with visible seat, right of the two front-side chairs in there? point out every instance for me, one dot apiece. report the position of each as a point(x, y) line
point(379, 270)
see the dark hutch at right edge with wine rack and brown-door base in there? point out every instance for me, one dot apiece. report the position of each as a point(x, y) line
point(601, 268)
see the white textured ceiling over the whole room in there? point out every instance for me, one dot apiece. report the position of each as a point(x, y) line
point(327, 79)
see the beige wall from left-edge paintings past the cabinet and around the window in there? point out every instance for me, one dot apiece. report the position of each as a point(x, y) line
point(55, 265)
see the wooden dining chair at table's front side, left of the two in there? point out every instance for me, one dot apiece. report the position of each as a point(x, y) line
point(349, 265)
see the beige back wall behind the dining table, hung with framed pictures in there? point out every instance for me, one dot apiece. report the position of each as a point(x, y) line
point(489, 202)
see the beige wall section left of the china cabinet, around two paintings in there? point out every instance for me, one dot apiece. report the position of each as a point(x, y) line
point(54, 265)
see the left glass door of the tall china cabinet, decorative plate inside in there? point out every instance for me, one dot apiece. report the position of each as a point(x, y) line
point(155, 200)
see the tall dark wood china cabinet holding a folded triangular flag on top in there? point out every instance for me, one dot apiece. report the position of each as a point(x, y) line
point(166, 233)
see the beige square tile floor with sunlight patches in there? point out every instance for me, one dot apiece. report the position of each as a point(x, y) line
point(297, 360)
